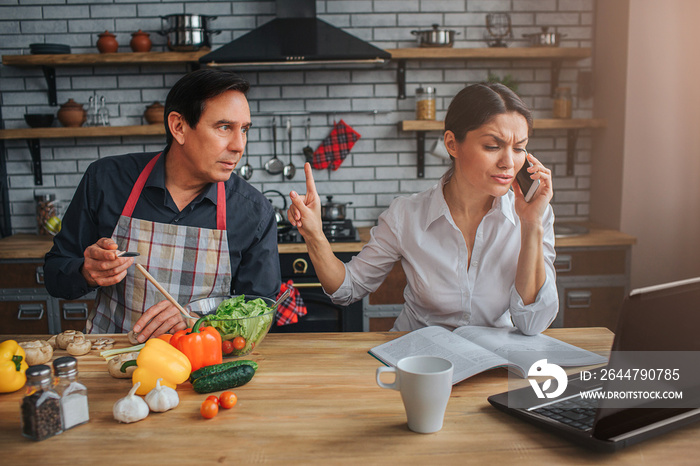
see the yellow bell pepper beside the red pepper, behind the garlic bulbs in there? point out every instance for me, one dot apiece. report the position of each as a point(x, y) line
point(160, 360)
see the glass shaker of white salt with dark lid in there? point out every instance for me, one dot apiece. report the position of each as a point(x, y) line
point(74, 406)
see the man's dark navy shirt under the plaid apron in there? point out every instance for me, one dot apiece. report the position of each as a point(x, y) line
point(100, 198)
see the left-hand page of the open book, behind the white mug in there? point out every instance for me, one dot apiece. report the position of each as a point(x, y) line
point(468, 358)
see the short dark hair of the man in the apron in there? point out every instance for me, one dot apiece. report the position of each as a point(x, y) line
point(189, 95)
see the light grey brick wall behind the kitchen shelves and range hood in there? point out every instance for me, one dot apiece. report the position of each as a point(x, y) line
point(382, 164)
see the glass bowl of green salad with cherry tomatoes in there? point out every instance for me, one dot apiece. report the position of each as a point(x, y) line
point(242, 320)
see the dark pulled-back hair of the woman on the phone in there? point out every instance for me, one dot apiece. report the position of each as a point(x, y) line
point(477, 104)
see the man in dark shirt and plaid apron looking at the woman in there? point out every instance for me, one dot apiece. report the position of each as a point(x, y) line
point(200, 231)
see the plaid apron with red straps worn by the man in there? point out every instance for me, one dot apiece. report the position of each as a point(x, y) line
point(190, 262)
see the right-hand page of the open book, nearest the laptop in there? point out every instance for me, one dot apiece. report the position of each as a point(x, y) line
point(524, 350)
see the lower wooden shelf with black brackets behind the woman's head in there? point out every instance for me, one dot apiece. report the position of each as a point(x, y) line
point(571, 125)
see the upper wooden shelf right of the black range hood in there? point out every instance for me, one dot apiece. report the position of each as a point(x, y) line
point(491, 53)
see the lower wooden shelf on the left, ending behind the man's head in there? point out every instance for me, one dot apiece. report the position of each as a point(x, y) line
point(82, 132)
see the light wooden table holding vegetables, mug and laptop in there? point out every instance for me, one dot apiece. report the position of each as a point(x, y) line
point(315, 400)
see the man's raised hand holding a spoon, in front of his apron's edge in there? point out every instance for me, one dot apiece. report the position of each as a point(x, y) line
point(102, 266)
